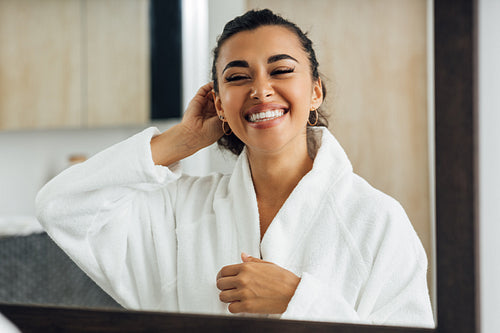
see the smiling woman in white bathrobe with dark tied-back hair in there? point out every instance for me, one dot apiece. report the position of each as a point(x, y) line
point(292, 232)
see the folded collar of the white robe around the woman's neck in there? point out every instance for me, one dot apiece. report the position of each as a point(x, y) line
point(300, 210)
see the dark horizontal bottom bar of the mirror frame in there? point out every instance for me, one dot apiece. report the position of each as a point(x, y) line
point(32, 318)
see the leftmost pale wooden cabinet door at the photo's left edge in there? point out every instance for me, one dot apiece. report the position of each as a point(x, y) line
point(40, 55)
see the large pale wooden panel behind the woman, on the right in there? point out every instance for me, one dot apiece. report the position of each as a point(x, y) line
point(372, 55)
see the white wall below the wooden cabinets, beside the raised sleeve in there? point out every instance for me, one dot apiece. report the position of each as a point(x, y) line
point(30, 158)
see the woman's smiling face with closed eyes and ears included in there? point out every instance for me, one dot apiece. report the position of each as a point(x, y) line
point(265, 88)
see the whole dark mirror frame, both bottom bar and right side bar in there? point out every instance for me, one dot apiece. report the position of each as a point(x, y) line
point(455, 38)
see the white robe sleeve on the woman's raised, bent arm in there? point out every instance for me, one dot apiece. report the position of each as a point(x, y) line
point(114, 216)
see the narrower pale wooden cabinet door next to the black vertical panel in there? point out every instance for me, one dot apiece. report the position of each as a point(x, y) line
point(118, 61)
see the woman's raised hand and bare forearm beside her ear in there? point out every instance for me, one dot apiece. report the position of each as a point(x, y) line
point(199, 128)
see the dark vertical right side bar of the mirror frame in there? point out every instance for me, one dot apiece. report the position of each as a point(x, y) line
point(455, 33)
